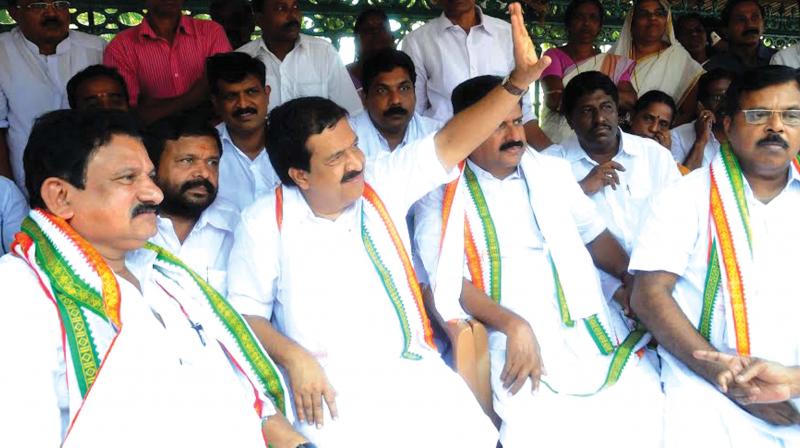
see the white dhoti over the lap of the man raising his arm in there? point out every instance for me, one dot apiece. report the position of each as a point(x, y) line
point(374, 399)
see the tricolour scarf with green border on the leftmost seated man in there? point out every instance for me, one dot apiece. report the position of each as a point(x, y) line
point(86, 295)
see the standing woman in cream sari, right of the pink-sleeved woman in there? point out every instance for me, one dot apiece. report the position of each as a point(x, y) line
point(662, 63)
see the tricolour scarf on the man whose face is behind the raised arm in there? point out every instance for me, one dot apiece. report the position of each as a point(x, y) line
point(571, 266)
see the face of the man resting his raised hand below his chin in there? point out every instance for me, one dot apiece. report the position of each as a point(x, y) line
point(594, 120)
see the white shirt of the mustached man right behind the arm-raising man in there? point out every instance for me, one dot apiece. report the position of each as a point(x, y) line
point(373, 143)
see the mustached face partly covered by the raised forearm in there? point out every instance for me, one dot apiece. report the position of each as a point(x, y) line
point(501, 152)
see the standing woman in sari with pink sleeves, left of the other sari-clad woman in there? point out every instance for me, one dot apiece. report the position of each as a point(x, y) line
point(583, 20)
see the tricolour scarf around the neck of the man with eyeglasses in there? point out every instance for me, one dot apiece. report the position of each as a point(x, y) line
point(730, 252)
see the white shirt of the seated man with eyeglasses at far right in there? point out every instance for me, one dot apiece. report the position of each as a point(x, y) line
point(674, 238)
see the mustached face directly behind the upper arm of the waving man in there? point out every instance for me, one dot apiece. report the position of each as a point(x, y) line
point(390, 100)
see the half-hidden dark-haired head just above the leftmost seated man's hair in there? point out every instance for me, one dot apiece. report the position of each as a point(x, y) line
point(97, 86)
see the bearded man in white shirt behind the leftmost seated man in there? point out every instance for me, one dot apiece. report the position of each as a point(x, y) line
point(193, 223)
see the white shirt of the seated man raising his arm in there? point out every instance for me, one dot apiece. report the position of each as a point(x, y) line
point(314, 277)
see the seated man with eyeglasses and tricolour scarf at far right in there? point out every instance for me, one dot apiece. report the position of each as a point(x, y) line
point(716, 270)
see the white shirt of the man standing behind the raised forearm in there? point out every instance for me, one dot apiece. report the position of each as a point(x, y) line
point(445, 55)
